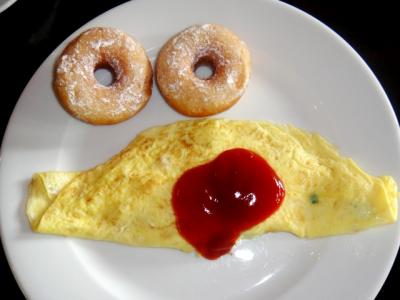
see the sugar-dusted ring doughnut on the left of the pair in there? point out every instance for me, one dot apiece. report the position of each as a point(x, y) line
point(83, 96)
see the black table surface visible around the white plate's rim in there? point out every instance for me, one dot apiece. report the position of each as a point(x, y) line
point(32, 29)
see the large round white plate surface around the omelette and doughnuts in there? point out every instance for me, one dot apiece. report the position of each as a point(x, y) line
point(303, 73)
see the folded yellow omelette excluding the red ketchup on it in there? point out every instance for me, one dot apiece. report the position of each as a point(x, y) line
point(127, 199)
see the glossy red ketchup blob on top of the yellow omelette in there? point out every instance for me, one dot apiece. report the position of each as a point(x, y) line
point(215, 202)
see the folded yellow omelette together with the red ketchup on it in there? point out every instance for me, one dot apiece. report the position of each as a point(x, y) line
point(243, 178)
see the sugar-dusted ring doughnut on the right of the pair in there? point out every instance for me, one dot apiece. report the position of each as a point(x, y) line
point(208, 44)
